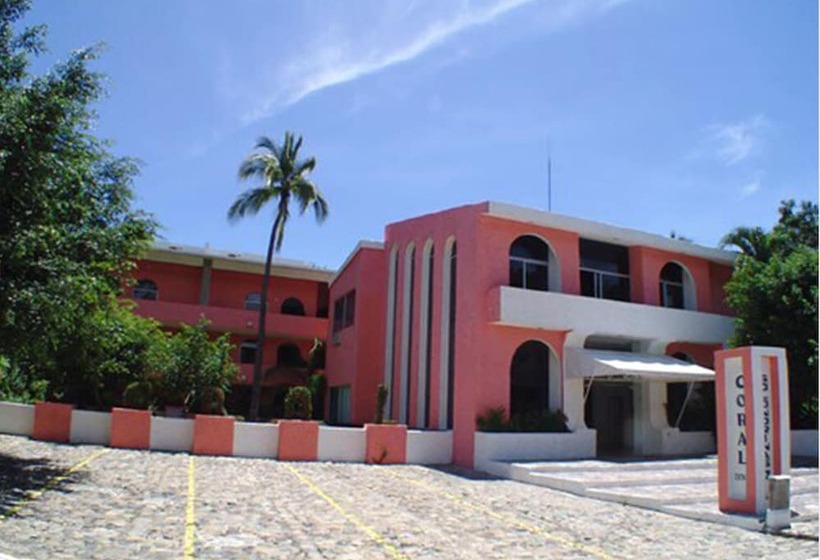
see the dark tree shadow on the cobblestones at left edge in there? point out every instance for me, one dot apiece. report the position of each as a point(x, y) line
point(19, 476)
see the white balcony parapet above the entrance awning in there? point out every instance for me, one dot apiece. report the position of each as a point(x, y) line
point(565, 312)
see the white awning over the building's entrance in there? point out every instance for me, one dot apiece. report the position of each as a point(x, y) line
point(605, 363)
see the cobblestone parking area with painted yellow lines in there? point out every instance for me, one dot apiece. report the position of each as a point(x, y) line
point(134, 504)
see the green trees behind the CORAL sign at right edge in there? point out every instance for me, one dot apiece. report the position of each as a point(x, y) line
point(774, 289)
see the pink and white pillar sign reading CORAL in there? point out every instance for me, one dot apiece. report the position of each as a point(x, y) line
point(752, 397)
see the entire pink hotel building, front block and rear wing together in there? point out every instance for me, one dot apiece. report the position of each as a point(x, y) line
point(481, 306)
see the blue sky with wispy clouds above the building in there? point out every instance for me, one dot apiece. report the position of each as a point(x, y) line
point(688, 115)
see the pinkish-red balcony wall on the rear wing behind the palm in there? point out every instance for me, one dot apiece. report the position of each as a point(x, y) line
point(239, 321)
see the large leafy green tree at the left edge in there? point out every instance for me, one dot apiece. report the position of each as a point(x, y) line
point(68, 233)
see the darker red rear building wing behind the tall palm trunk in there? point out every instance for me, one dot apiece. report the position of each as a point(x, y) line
point(178, 284)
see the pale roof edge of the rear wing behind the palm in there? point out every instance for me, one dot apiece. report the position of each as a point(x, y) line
point(284, 267)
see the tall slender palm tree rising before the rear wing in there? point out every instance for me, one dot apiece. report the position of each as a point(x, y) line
point(282, 177)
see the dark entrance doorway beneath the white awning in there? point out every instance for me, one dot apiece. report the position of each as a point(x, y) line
point(609, 410)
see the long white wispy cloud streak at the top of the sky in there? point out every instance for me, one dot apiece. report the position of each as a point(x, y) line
point(350, 48)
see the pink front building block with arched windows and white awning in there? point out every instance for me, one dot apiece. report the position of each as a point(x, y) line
point(492, 305)
